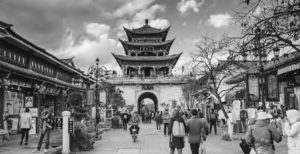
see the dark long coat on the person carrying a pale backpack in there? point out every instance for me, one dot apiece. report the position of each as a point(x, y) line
point(176, 142)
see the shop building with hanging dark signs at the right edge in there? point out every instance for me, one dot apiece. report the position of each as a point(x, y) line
point(282, 81)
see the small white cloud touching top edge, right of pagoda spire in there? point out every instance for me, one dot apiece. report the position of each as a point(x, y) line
point(186, 5)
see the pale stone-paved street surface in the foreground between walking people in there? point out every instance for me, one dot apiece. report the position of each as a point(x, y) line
point(151, 141)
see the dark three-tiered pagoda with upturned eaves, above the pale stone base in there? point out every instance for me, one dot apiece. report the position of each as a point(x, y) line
point(147, 53)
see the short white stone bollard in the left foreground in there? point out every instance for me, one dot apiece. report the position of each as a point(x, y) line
point(66, 135)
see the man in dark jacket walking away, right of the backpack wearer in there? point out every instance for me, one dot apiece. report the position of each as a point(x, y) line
point(197, 129)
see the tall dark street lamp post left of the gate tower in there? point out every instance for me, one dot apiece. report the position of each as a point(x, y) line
point(97, 72)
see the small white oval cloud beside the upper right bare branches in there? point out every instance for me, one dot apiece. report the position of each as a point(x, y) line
point(219, 20)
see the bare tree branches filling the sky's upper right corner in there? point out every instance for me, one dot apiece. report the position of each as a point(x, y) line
point(269, 25)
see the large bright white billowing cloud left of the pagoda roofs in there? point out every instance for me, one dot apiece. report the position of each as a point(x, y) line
point(95, 42)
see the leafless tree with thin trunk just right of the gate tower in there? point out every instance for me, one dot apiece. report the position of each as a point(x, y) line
point(213, 72)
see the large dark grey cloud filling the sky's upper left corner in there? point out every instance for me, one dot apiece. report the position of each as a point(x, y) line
point(44, 21)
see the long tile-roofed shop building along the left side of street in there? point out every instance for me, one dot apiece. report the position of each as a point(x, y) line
point(31, 77)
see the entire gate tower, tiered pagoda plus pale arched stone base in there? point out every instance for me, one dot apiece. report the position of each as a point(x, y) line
point(147, 68)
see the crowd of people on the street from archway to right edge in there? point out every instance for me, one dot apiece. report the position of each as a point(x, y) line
point(262, 128)
